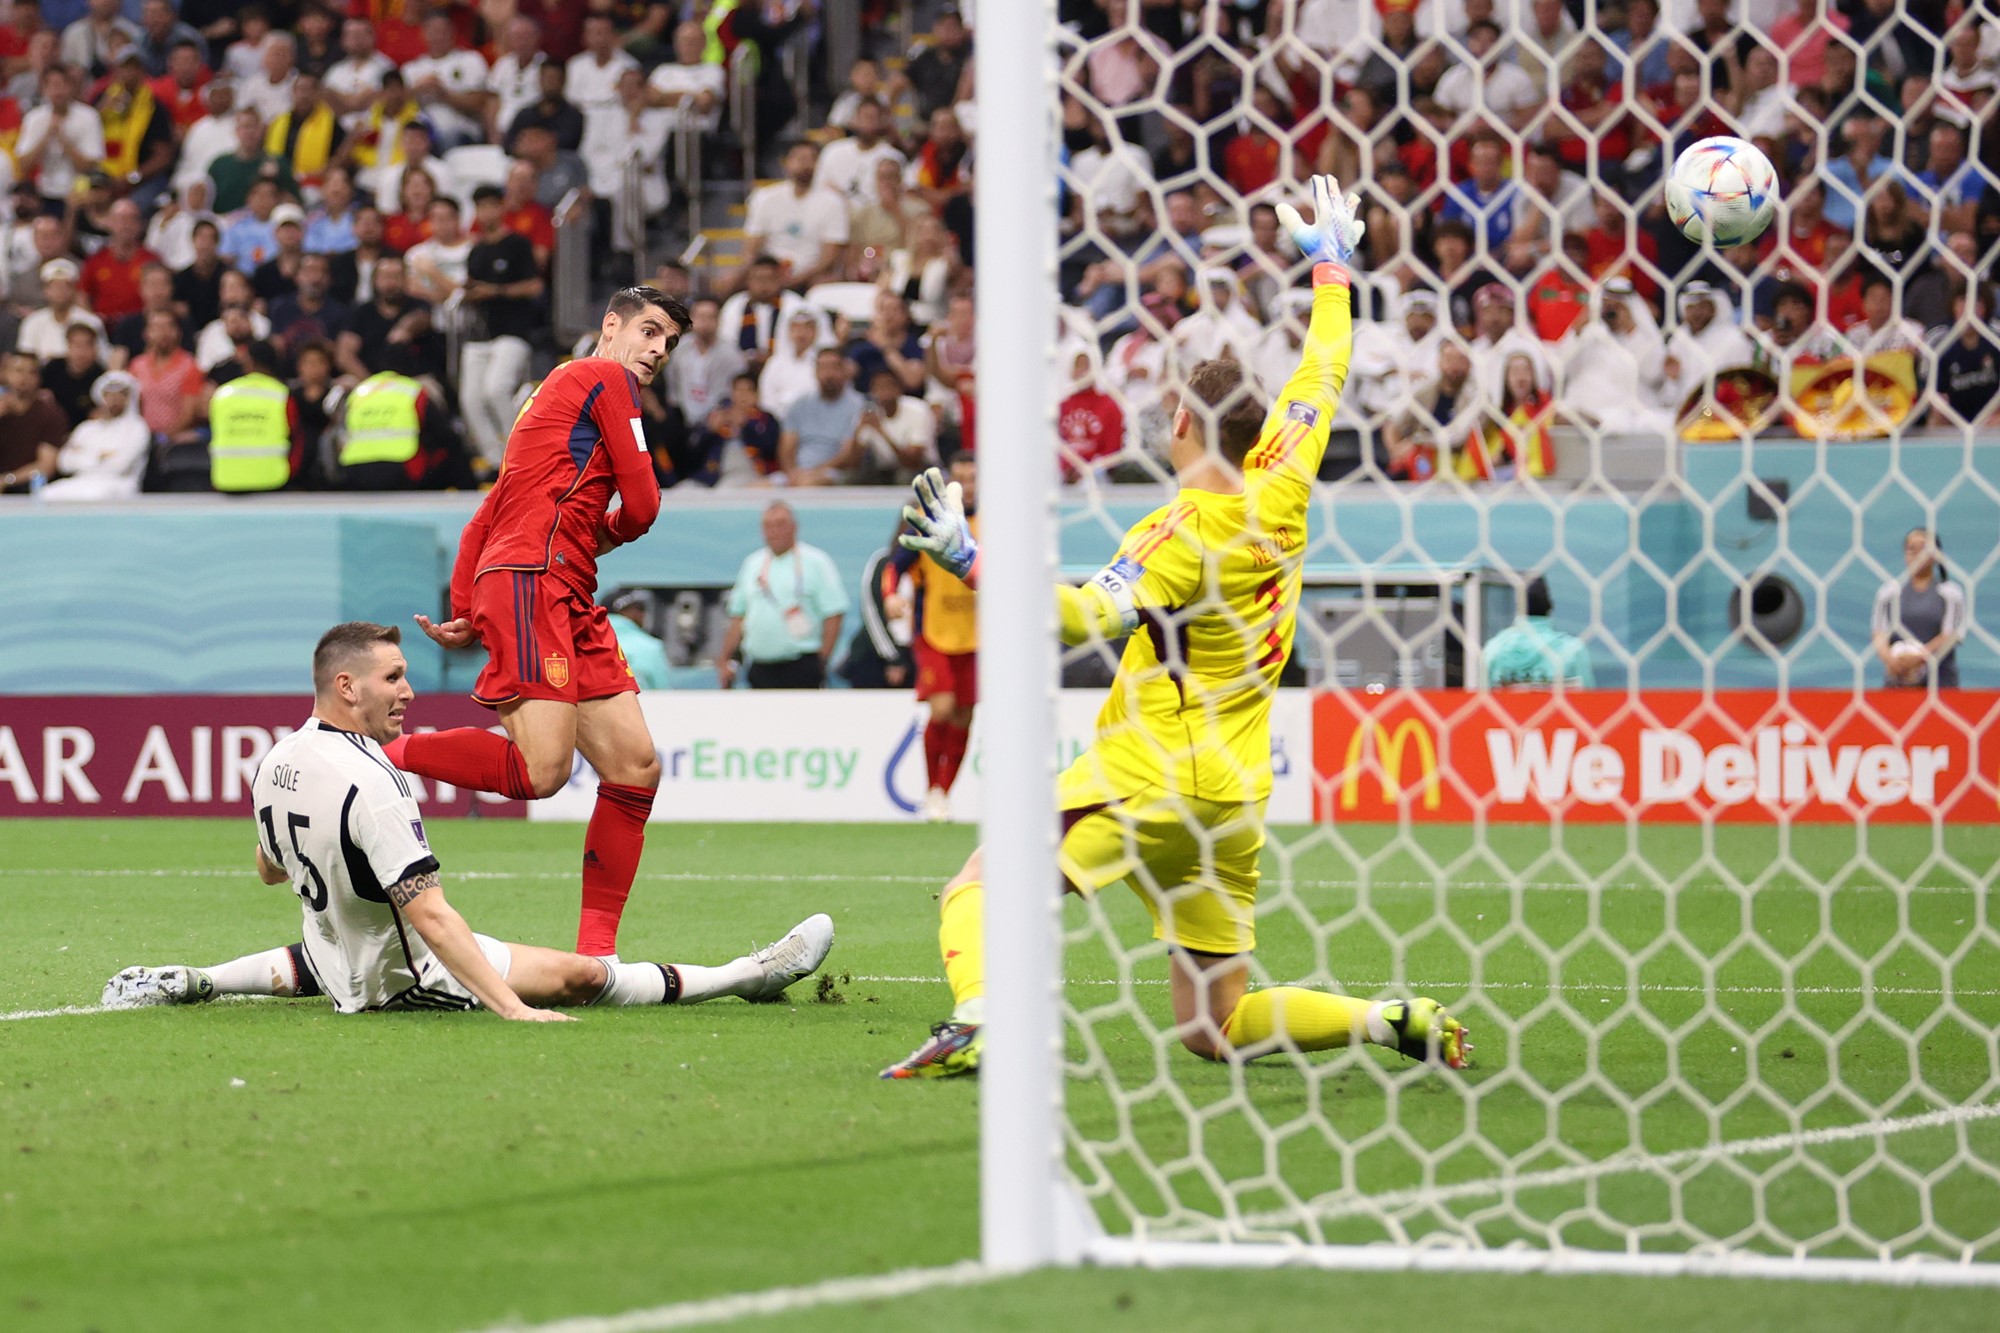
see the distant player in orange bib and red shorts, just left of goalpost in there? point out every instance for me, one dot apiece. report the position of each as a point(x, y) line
point(945, 639)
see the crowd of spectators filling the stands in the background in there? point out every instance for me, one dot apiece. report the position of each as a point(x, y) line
point(291, 245)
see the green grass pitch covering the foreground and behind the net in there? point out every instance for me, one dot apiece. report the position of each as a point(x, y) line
point(273, 1166)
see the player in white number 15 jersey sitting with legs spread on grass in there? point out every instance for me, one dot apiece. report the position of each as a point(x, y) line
point(337, 822)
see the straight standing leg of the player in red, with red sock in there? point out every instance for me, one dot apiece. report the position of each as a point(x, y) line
point(613, 738)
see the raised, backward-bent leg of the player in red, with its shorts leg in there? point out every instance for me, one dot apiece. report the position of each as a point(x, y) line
point(525, 623)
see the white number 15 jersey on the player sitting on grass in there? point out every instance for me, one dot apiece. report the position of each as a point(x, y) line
point(337, 816)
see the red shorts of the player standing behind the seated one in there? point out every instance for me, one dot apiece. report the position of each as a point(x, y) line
point(545, 641)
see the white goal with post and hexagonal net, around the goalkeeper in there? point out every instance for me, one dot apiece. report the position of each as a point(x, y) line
point(1589, 730)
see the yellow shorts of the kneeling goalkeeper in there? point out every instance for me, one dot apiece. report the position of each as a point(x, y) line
point(1191, 862)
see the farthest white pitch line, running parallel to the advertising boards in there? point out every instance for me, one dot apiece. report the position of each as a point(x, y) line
point(933, 882)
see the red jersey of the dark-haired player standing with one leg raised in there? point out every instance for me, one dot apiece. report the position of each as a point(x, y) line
point(575, 445)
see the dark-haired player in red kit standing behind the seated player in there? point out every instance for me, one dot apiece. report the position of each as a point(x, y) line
point(525, 587)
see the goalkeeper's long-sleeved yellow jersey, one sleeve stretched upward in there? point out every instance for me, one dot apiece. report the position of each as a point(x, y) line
point(1209, 591)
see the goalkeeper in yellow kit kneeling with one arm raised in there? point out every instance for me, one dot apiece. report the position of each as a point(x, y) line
point(1171, 796)
